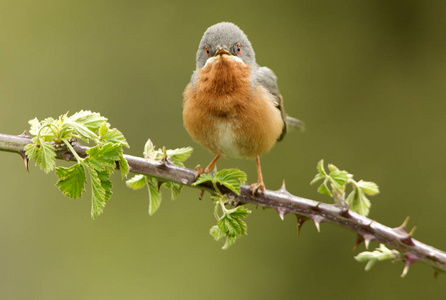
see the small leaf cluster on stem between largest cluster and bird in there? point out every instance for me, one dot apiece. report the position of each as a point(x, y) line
point(175, 156)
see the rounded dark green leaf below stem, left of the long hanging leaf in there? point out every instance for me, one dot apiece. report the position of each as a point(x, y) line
point(71, 180)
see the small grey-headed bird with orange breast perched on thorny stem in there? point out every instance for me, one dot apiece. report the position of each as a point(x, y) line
point(232, 106)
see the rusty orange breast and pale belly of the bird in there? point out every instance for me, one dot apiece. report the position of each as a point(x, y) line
point(226, 115)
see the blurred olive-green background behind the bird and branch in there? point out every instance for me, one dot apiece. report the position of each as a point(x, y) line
point(367, 77)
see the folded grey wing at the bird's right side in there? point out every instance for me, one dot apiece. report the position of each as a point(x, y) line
point(268, 80)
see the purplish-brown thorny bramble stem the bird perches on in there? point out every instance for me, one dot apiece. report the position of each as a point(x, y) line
point(281, 200)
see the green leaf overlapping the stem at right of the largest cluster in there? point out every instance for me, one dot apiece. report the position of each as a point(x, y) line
point(103, 157)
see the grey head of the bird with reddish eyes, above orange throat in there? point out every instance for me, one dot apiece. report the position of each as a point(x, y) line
point(228, 37)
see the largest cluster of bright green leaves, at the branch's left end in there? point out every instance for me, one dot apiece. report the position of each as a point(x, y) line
point(55, 134)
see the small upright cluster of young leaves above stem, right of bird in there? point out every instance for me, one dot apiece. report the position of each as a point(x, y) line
point(334, 184)
